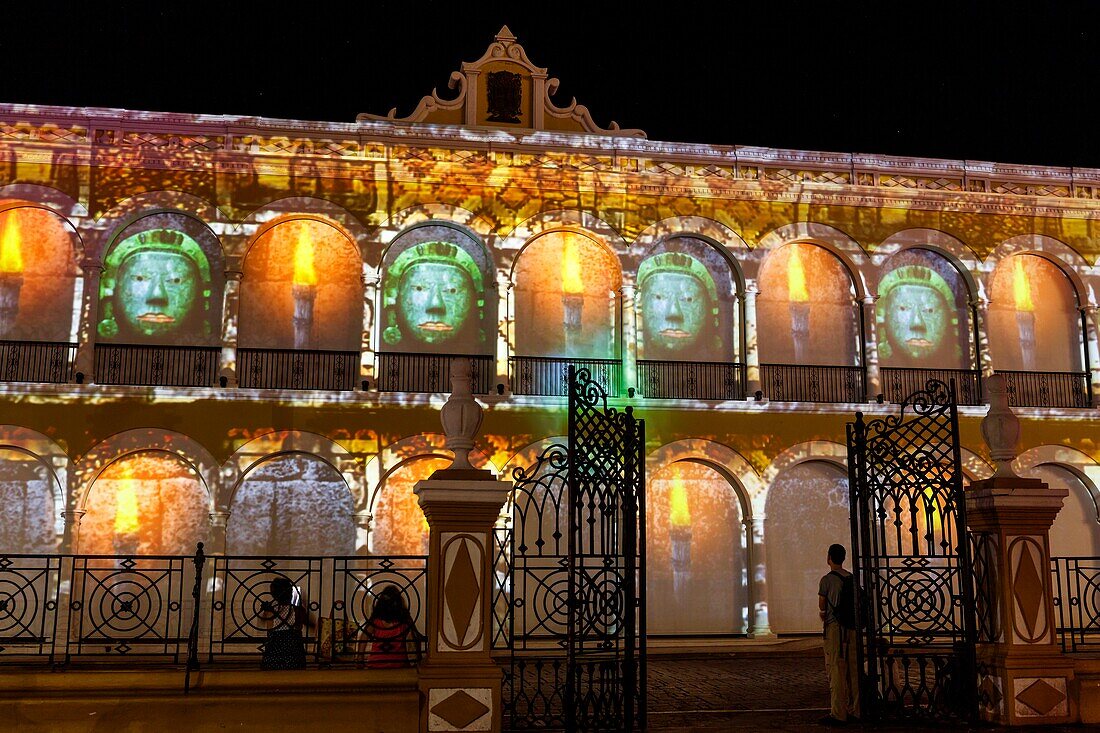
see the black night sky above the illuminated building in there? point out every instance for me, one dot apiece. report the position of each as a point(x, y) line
point(961, 80)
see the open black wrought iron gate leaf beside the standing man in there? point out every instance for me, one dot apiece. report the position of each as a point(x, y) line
point(912, 555)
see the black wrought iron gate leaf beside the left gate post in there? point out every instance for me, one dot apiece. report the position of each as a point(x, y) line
point(570, 606)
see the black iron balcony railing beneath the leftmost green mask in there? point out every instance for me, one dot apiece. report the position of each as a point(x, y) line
point(157, 366)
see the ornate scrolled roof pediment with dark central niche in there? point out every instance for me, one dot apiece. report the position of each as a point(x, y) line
point(503, 90)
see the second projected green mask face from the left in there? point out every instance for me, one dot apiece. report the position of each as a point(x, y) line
point(434, 301)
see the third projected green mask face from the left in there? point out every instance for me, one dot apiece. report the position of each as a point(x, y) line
point(674, 308)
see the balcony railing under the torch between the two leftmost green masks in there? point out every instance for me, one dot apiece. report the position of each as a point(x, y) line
point(298, 369)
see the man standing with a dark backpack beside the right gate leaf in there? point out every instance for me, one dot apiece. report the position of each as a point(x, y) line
point(837, 598)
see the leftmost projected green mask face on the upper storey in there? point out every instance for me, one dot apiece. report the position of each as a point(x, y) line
point(156, 292)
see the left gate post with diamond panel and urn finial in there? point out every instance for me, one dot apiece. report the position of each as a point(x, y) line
point(460, 684)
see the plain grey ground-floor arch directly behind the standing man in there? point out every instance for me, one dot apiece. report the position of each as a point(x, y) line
point(807, 511)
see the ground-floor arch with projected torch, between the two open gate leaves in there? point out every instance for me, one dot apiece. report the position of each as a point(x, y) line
point(697, 574)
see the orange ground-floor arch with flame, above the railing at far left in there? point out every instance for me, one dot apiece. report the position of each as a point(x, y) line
point(149, 502)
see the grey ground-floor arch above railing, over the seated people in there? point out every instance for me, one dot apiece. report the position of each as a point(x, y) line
point(292, 505)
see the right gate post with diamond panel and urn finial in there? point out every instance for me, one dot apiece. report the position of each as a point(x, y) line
point(1025, 680)
